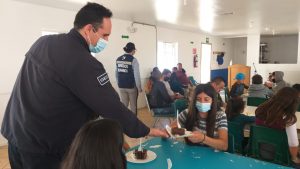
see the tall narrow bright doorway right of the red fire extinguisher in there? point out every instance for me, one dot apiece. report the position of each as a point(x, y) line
point(205, 62)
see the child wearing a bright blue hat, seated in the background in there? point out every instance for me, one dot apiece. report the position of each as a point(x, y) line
point(238, 87)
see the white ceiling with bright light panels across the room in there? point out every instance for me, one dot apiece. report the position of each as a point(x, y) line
point(217, 17)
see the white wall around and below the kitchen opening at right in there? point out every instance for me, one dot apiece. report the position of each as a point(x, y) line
point(291, 71)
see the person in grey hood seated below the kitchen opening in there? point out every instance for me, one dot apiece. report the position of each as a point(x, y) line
point(278, 82)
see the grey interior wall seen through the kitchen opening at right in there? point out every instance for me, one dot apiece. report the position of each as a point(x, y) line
point(281, 49)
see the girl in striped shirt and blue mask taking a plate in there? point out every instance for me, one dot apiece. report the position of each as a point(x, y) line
point(207, 123)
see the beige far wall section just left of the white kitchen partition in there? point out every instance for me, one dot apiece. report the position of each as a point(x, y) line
point(239, 47)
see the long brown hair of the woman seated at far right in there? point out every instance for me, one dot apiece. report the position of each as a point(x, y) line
point(280, 107)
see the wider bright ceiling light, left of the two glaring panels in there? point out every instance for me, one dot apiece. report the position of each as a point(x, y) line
point(167, 10)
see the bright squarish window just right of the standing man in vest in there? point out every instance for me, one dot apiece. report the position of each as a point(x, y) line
point(167, 55)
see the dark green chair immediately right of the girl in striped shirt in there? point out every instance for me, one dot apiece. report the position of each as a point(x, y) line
point(237, 131)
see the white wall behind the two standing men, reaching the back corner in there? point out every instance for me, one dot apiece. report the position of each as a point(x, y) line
point(23, 24)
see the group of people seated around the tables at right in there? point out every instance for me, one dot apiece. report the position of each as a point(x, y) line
point(277, 112)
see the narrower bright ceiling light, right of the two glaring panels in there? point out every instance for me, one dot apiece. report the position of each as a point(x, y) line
point(206, 15)
